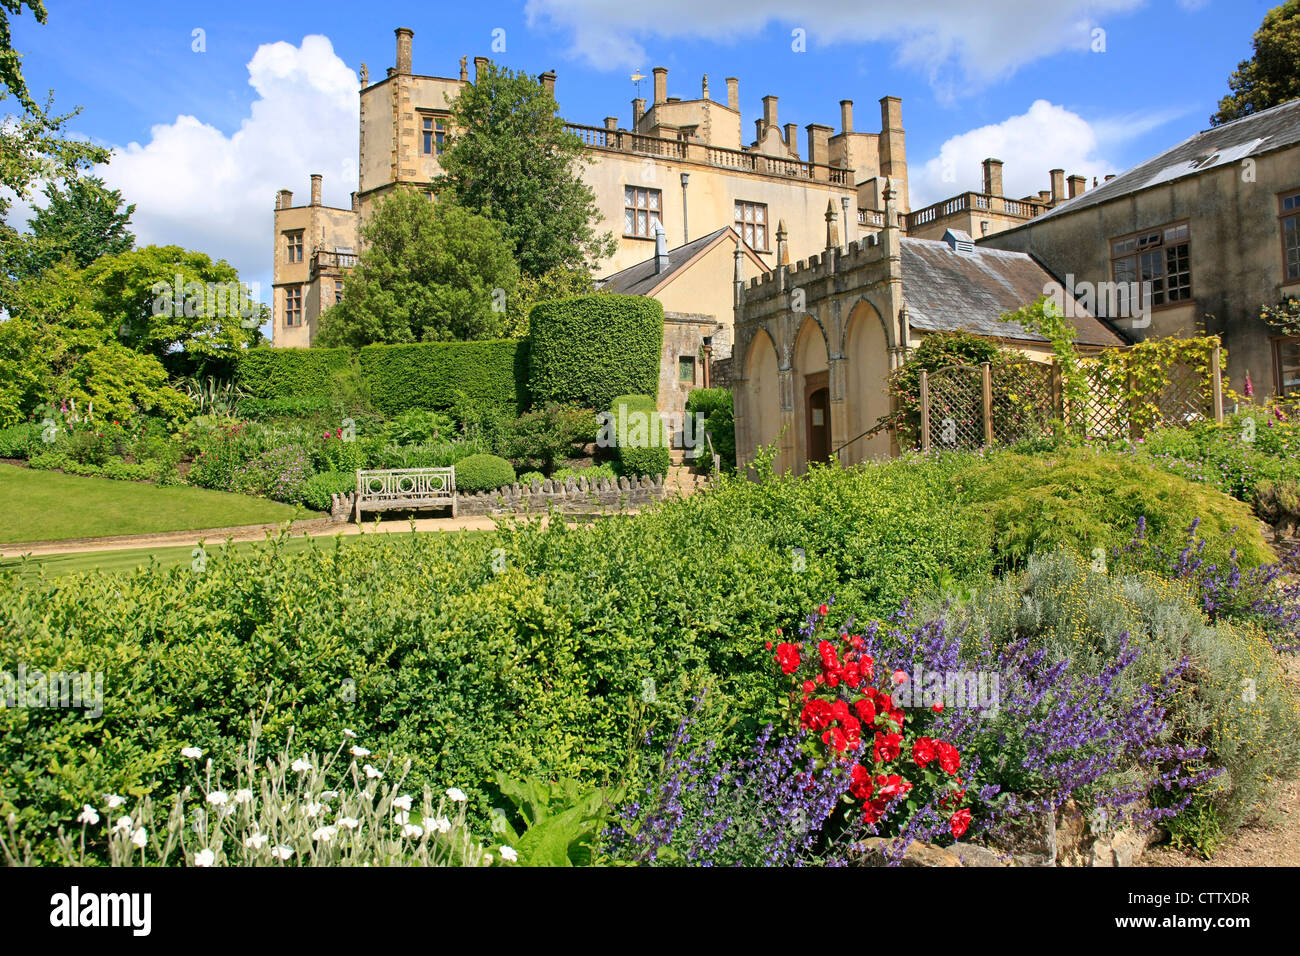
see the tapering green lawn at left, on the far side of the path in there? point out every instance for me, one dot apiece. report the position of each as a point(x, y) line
point(53, 507)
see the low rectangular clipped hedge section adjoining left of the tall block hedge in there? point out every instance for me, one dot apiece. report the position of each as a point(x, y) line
point(434, 375)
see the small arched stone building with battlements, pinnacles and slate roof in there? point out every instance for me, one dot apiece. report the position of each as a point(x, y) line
point(817, 341)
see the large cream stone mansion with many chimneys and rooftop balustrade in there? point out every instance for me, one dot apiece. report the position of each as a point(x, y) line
point(682, 165)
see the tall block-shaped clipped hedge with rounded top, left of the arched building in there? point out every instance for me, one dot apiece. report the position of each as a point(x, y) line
point(588, 351)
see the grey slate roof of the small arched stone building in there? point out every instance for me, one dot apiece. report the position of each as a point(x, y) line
point(951, 287)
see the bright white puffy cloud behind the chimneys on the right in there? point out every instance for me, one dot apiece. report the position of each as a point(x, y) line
point(1043, 139)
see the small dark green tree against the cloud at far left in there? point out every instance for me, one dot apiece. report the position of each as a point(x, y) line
point(84, 220)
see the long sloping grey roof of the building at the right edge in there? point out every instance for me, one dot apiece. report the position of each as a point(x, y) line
point(1233, 142)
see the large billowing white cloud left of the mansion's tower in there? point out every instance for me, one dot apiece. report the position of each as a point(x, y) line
point(196, 187)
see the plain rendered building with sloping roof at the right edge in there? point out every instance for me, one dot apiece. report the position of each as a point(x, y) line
point(1207, 233)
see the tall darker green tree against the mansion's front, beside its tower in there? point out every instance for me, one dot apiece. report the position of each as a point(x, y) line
point(510, 159)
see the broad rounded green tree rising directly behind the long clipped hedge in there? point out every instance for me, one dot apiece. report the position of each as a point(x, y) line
point(430, 272)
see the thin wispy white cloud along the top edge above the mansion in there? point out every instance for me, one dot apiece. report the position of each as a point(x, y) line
point(957, 42)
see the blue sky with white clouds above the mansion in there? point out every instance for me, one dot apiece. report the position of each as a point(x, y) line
point(205, 139)
